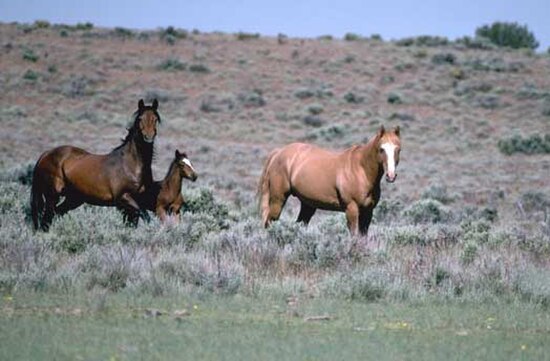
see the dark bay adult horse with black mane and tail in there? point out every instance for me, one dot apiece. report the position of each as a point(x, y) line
point(105, 180)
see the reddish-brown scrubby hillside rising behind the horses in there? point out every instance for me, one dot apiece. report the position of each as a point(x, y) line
point(227, 100)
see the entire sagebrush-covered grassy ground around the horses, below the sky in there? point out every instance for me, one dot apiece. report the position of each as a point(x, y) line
point(456, 263)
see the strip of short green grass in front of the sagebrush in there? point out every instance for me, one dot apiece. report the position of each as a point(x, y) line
point(242, 328)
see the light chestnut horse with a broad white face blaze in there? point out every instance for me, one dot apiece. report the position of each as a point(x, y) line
point(347, 181)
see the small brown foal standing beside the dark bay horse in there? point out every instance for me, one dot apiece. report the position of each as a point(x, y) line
point(164, 197)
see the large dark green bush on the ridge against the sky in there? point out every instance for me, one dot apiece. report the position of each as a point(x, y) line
point(510, 35)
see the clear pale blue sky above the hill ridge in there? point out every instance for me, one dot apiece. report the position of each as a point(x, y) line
point(391, 19)
